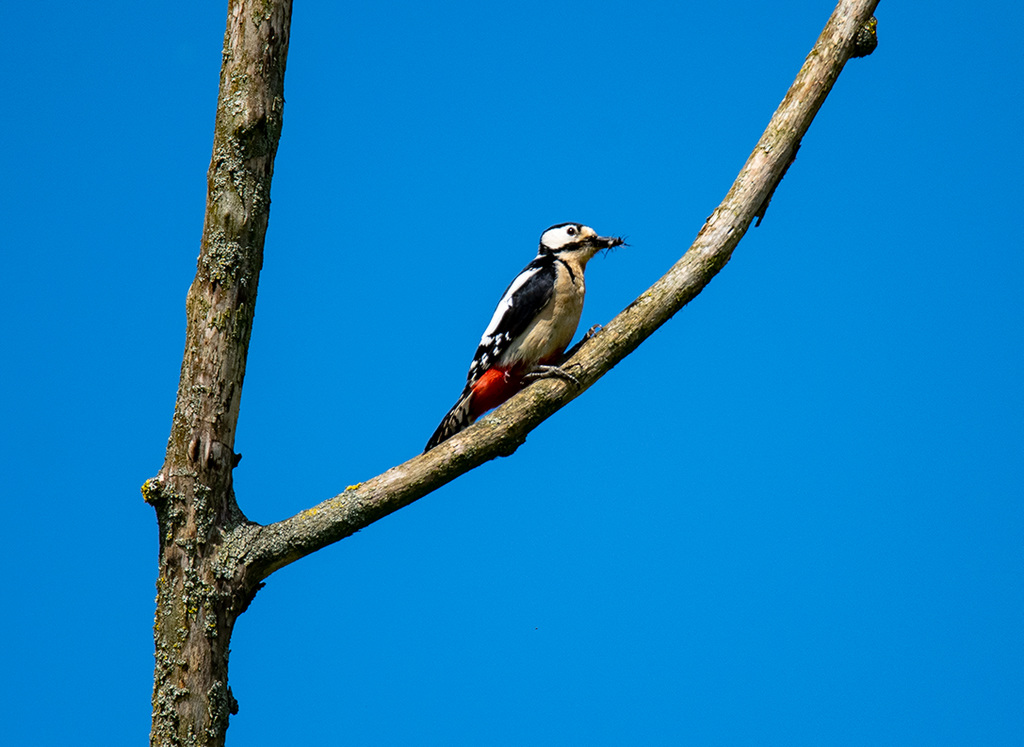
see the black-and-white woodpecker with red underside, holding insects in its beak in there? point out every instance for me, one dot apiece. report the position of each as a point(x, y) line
point(534, 323)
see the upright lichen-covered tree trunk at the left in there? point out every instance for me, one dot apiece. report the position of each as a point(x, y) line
point(198, 598)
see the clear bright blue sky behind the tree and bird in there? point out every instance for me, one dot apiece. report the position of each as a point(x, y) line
point(794, 517)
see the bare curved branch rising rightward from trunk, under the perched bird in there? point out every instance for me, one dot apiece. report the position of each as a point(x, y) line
point(257, 553)
